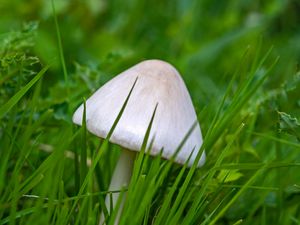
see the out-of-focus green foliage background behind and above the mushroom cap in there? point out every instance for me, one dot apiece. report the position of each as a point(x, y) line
point(205, 40)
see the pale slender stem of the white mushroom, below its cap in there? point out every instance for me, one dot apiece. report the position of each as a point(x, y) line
point(120, 178)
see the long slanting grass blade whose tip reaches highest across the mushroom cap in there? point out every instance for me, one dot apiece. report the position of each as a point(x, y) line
point(100, 151)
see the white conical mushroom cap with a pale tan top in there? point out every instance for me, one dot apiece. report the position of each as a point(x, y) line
point(158, 82)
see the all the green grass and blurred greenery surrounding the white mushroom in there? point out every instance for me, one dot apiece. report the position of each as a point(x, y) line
point(246, 94)
